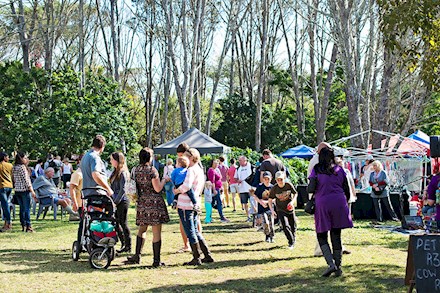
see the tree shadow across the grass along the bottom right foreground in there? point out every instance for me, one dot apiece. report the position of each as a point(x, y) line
point(375, 278)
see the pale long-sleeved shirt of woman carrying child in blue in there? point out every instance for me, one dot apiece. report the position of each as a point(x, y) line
point(195, 180)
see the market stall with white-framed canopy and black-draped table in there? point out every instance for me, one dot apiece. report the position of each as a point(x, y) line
point(405, 161)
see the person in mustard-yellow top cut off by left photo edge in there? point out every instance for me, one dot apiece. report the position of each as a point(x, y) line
point(5, 189)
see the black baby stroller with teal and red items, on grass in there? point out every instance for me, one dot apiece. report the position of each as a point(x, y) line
point(98, 236)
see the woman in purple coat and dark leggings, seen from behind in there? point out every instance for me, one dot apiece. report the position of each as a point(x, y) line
point(329, 184)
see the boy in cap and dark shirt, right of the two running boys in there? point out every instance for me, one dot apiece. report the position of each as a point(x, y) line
point(284, 195)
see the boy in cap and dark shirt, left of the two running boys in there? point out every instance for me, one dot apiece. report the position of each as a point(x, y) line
point(261, 196)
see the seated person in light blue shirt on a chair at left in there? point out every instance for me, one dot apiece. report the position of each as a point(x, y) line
point(46, 187)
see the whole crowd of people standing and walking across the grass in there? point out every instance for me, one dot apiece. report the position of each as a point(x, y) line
point(266, 196)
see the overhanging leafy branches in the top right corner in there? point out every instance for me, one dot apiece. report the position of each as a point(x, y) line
point(419, 19)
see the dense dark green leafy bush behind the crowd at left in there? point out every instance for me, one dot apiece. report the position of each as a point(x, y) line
point(42, 119)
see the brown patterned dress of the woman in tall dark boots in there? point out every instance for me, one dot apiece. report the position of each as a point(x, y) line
point(151, 207)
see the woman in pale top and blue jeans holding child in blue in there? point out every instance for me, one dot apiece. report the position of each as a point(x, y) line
point(195, 180)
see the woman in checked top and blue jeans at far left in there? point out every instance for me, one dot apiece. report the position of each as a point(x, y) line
point(23, 190)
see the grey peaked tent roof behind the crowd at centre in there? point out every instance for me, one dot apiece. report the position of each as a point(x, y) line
point(195, 139)
